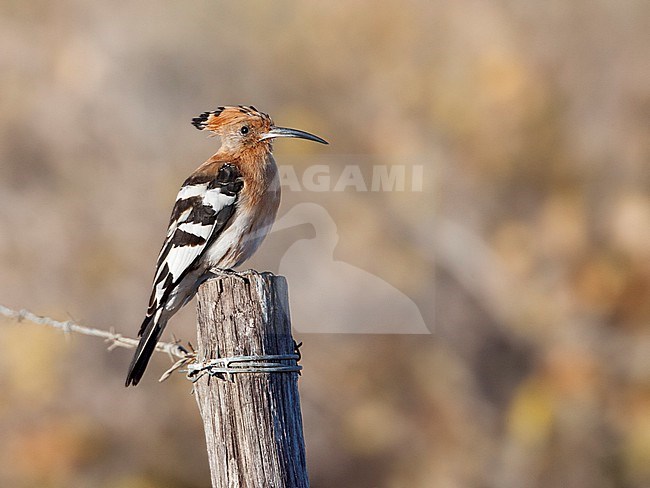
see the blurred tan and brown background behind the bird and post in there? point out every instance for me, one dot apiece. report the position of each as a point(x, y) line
point(526, 253)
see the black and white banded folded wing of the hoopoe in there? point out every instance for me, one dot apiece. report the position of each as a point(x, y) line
point(203, 208)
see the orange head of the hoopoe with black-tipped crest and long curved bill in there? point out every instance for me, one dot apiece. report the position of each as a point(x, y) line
point(241, 127)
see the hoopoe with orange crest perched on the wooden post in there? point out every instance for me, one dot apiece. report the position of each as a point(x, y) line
point(222, 213)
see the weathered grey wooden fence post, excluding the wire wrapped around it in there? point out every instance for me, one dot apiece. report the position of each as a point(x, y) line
point(253, 424)
